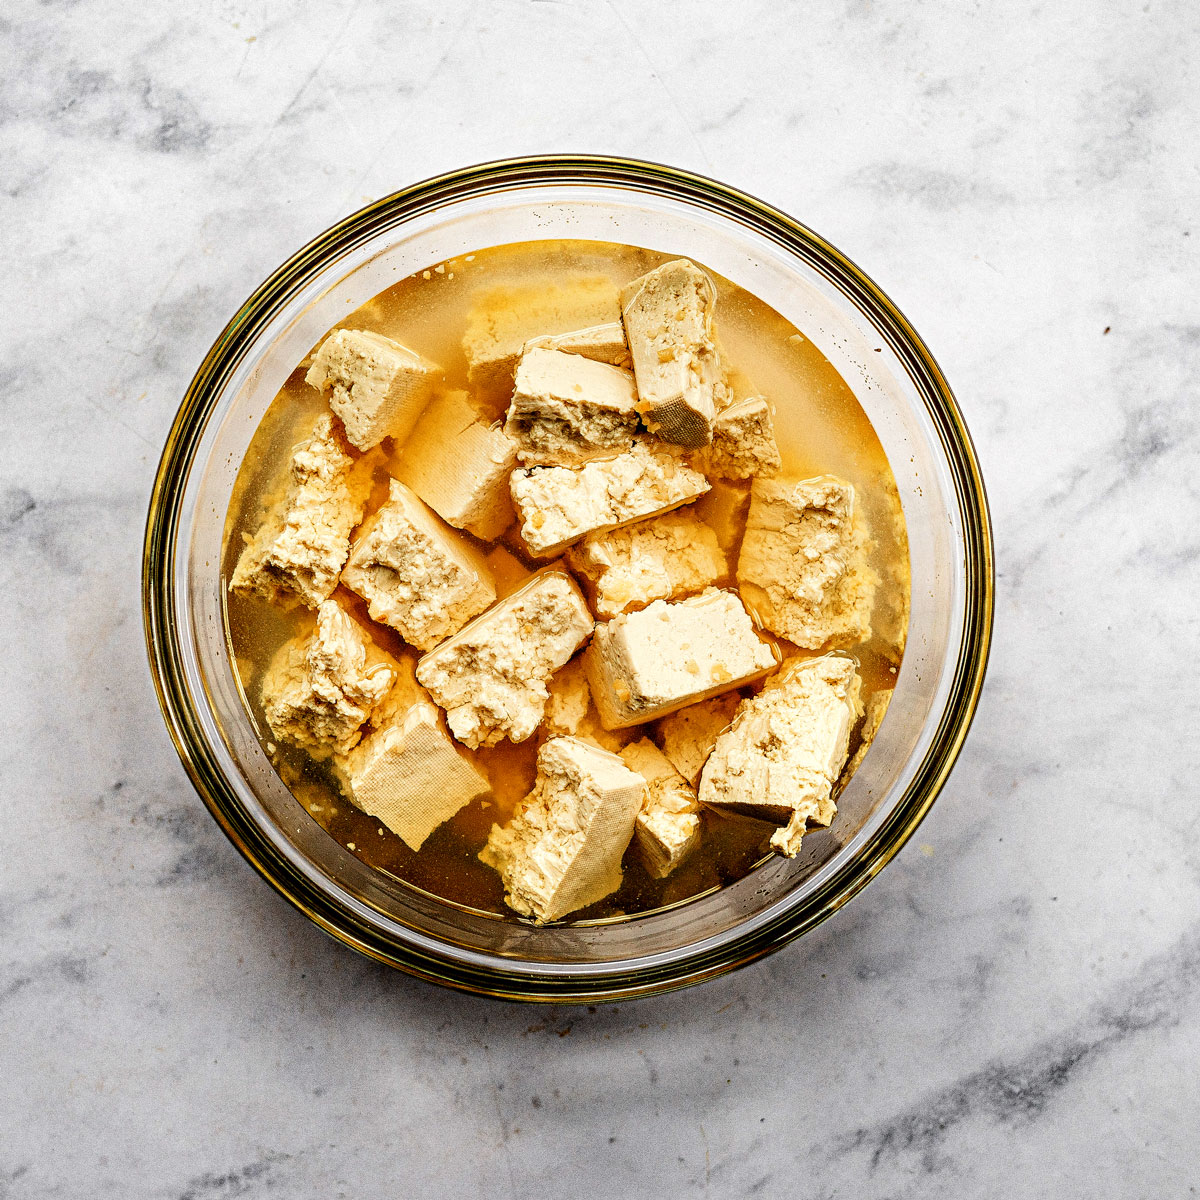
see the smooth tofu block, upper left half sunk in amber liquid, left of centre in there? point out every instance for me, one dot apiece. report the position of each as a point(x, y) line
point(460, 465)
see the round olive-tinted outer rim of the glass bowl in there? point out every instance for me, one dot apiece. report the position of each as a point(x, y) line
point(497, 177)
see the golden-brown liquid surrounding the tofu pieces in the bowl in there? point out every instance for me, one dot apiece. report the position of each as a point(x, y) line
point(820, 429)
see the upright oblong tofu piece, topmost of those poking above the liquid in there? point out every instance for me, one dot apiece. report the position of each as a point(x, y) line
point(669, 323)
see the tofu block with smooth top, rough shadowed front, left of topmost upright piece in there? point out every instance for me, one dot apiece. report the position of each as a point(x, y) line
point(567, 410)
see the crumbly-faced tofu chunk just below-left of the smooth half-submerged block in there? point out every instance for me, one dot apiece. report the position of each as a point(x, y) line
point(417, 575)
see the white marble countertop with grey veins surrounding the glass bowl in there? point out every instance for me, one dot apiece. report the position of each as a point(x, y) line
point(1013, 1006)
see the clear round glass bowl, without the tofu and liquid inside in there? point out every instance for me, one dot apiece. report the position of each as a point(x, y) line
point(772, 256)
